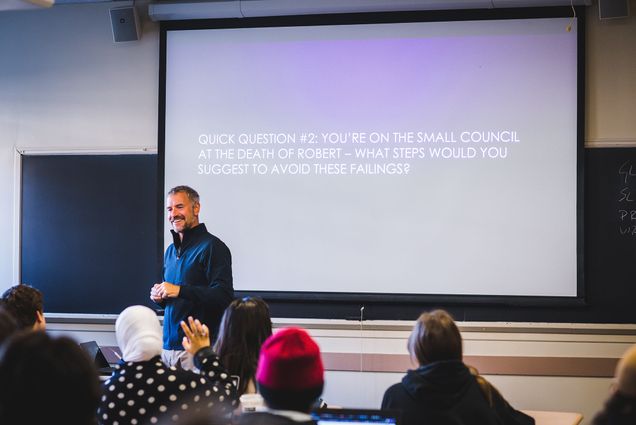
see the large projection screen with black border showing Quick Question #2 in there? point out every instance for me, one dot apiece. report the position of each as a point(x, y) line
point(383, 156)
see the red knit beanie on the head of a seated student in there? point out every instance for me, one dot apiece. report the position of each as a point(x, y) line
point(290, 360)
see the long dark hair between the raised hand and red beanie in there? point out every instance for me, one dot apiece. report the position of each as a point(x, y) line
point(245, 325)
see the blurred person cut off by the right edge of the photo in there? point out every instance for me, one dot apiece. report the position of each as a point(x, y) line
point(620, 408)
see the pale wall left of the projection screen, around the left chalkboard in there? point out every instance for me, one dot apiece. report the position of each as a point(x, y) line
point(65, 86)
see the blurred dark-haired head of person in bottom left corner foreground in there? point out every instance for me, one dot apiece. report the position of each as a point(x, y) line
point(46, 380)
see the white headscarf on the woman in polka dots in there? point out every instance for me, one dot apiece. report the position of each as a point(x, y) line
point(138, 334)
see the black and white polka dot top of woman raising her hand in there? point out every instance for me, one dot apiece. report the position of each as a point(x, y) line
point(149, 392)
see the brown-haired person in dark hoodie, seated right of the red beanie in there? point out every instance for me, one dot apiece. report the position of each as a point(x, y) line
point(442, 390)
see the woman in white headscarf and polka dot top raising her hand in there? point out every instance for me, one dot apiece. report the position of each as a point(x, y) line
point(143, 389)
